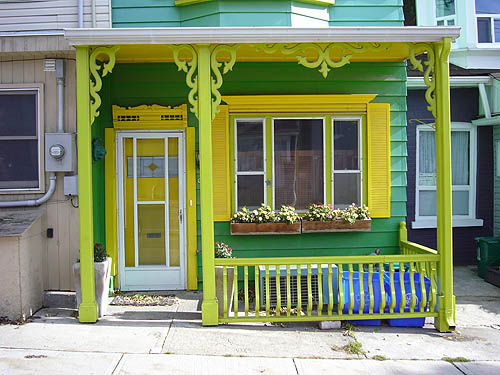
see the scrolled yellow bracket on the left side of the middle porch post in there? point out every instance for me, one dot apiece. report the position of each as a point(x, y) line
point(189, 65)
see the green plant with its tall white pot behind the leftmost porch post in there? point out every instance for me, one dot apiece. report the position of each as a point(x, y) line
point(102, 275)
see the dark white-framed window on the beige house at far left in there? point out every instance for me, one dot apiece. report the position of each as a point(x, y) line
point(20, 139)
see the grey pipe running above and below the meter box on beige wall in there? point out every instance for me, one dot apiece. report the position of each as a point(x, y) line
point(60, 129)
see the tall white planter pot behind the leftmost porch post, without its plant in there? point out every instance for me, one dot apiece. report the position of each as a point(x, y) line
point(102, 275)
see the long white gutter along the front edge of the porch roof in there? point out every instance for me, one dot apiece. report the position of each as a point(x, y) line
point(181, 35)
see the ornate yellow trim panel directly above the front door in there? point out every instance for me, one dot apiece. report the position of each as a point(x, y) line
point(149, 117)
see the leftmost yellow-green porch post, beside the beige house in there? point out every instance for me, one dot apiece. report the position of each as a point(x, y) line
point(88, 311)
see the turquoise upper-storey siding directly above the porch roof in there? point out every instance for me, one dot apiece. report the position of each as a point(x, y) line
point(164, 13)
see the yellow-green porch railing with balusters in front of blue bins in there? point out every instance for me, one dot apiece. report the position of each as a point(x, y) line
point(333, 288)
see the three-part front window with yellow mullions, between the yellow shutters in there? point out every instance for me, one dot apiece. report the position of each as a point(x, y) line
point(304, 166)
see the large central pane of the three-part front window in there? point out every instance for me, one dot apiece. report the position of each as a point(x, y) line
point(298, 162)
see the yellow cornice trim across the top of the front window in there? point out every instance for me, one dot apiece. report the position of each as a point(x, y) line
point(298, 103)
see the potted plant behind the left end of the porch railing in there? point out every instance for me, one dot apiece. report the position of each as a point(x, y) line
point(222, 250)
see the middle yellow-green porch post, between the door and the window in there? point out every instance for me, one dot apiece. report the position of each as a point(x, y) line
point(209, 307)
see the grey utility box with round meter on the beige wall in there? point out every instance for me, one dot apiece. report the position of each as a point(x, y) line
point(60, 152)
